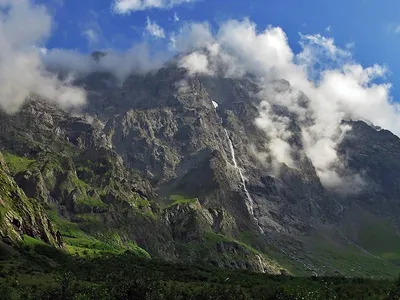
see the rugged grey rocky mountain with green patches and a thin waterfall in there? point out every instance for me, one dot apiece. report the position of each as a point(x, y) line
point(164, 165)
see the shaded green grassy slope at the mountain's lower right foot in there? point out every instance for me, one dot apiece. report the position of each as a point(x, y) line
point(366, 245)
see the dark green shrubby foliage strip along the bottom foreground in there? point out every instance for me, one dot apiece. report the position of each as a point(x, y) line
point(45, 273)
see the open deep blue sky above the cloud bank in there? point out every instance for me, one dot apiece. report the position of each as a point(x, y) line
point(369, 25)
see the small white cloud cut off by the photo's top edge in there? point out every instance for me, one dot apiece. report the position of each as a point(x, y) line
point(128, 6)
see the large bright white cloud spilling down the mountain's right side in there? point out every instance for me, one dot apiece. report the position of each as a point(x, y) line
point(326, 87)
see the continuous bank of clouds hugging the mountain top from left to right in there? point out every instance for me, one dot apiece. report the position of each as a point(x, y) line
point(326, 85)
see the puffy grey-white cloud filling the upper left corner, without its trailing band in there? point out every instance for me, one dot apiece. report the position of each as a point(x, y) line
point(24, 27)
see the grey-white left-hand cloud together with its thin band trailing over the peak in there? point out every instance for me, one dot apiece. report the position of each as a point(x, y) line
point(27, 68)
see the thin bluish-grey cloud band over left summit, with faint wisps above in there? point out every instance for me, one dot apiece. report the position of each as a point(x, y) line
point(140, 58)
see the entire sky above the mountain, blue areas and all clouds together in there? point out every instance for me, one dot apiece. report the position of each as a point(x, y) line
point(344, 79)
